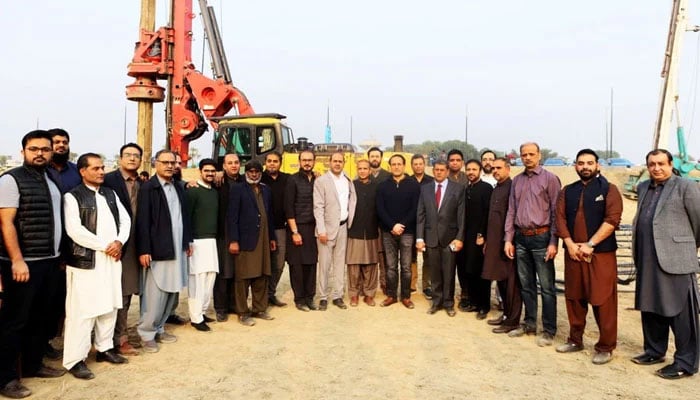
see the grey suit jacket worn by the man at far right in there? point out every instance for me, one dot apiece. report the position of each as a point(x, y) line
point(676, 225)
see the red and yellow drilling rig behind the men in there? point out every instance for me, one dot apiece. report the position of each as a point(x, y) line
point(194, 101)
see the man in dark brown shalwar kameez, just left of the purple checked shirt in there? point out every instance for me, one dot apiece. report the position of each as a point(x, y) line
point(497, 266)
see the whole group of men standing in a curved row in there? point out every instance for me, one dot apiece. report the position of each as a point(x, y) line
point(74, 235)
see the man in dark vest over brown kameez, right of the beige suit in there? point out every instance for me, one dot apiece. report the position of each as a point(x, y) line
point(363, 240)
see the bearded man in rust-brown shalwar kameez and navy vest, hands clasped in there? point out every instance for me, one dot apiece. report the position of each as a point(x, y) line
point(588, 212)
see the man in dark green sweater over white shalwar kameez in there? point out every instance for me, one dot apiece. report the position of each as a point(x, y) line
point(202, 210)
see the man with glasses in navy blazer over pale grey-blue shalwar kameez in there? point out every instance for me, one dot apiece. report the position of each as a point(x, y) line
point(164, 239)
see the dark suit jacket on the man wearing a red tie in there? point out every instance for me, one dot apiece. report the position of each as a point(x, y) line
point(440, 227)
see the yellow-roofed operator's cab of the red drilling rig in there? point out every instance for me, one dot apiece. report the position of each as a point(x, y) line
point(251, 137)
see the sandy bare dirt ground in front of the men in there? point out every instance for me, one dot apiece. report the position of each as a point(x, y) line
point(373, 353)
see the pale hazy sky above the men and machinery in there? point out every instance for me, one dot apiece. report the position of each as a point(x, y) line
point(537, 70)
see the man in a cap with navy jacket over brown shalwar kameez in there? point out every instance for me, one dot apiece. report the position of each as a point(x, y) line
point(251, 231)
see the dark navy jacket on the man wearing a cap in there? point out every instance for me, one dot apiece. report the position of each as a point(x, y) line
point(244, 218)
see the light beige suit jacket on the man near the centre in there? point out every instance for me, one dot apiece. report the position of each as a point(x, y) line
point(327, 205)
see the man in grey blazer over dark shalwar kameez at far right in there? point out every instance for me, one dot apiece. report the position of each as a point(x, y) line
point(666, 238)
